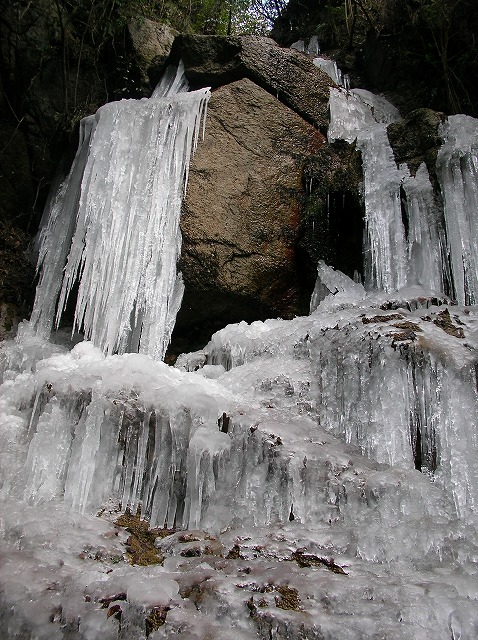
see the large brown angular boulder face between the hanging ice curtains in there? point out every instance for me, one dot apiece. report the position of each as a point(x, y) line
point(241, 213)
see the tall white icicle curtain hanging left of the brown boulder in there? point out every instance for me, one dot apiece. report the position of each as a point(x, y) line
point(131, 235)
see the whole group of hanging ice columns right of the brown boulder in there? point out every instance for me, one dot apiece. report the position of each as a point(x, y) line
point(438, 249)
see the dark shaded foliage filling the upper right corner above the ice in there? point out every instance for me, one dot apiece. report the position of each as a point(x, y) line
point(423, 50)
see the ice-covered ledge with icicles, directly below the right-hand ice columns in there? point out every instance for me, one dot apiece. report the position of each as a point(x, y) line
point(399, 380)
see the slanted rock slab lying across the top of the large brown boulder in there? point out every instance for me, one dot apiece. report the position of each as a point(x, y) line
point(285, 73)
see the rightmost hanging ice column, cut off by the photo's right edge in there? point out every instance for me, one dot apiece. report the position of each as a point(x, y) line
point(457, 169)
